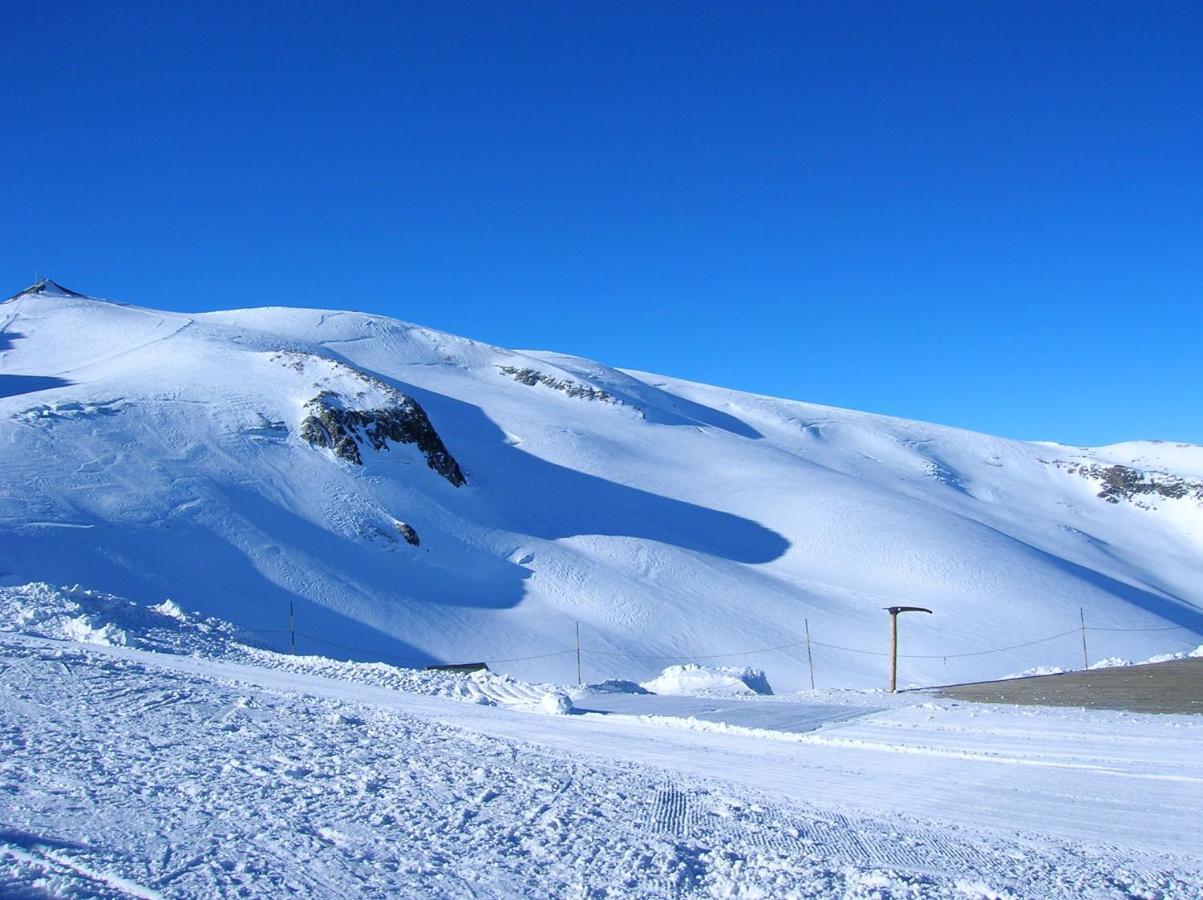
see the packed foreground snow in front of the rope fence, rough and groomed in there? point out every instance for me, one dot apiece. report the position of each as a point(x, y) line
point(182, 763)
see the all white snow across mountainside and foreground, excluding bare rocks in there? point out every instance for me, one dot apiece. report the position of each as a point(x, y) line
point(695, 536)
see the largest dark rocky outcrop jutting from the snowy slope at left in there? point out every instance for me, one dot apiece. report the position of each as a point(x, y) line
point(334, 424)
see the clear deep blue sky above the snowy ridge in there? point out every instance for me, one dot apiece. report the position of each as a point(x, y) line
point(981, 215)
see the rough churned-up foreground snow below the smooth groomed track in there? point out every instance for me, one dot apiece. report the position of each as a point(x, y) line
point(122, 778)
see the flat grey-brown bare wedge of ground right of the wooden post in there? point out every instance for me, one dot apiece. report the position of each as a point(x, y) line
point(1176, 686)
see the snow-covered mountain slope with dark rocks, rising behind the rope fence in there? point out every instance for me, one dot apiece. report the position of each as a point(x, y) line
point(422, 496)
